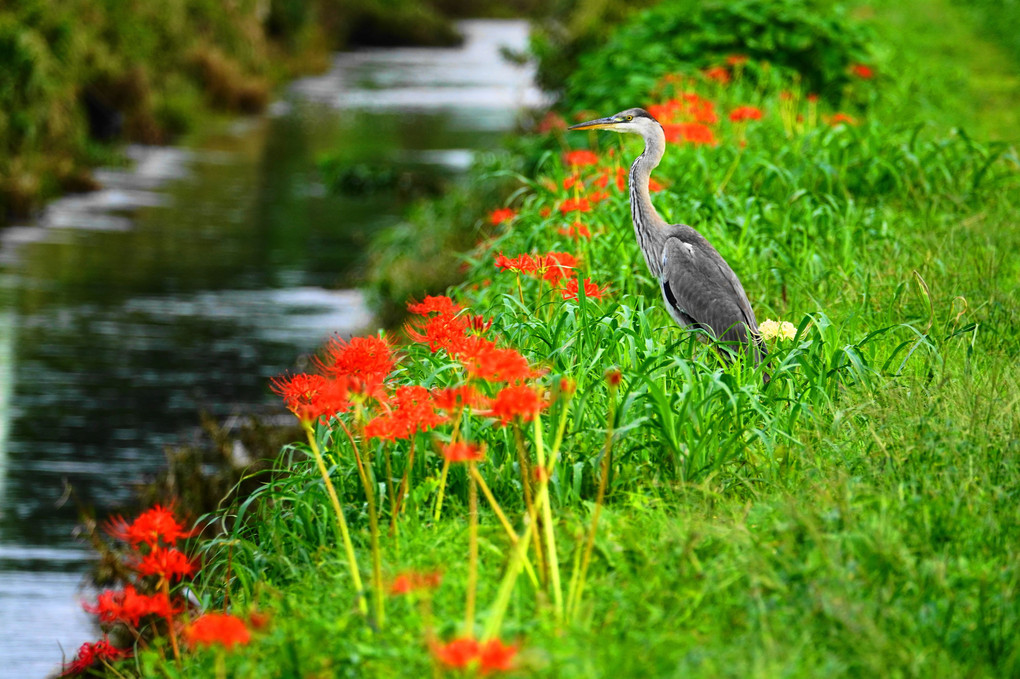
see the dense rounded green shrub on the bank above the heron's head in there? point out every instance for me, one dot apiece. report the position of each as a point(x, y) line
point(815, 41)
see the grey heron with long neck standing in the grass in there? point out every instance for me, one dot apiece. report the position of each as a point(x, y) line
point(699, 288)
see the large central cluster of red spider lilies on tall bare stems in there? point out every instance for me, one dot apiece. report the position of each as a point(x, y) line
point(354, 411)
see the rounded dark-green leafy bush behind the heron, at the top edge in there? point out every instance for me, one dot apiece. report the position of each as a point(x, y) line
point(815, 39)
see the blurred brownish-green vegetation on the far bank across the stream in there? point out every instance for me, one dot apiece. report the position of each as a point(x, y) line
point(82, 77)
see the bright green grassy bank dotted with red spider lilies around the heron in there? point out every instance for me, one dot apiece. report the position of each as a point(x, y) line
point(541, 476)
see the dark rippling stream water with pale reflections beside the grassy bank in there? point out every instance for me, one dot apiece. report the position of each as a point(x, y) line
point(186, 284)
